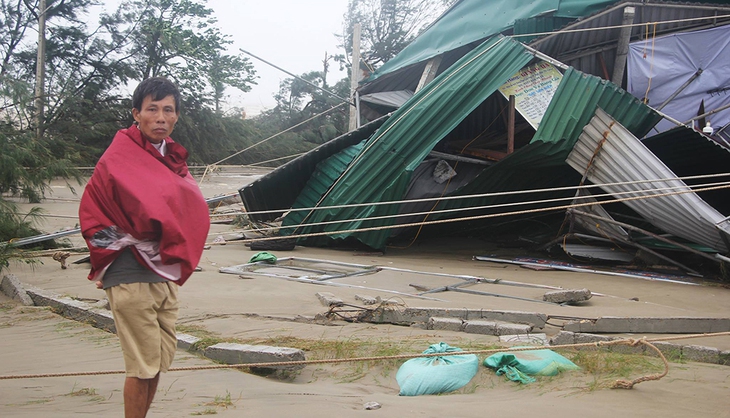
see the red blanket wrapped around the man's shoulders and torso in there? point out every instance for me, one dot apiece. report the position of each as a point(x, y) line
point(138, 196)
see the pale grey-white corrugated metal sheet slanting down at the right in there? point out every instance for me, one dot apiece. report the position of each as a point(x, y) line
point(614, 155)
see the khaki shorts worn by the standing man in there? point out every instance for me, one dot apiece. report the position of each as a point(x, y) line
point(145, 315)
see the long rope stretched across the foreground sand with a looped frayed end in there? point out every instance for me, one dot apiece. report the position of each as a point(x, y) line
point(619, 384)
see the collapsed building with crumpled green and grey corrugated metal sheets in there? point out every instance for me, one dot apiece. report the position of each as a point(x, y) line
point(591, 109)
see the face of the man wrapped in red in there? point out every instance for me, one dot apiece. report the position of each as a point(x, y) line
point(157, 118)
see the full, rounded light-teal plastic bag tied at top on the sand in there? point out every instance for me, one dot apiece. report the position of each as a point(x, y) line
point(438, 374)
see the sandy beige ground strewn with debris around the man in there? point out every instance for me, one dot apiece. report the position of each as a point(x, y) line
point(34, 340)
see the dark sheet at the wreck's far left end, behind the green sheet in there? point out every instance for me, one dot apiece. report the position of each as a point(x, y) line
point(277, 190)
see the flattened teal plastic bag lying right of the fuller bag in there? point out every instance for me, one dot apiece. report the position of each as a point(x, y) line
point(519, 366)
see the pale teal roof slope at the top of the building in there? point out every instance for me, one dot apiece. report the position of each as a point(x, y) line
point(471, 20)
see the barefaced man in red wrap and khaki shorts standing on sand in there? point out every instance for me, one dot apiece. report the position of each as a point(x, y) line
point(145, 223)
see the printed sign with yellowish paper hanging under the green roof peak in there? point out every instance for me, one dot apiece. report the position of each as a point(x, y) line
point(533, 88)
